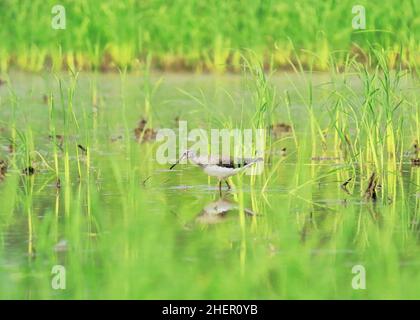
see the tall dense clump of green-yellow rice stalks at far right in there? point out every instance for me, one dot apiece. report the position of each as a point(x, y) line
point(377, 140)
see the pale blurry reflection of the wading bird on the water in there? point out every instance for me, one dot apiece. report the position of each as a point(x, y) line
point(217, 211)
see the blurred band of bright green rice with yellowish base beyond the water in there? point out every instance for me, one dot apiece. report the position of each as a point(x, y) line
point(202, 35)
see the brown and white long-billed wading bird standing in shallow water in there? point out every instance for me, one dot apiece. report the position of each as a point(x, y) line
point(221, 168)
